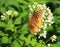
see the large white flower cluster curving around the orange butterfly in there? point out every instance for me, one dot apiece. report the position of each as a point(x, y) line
point(47, 16)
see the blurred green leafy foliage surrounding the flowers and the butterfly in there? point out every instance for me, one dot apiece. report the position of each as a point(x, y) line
point(16, 33)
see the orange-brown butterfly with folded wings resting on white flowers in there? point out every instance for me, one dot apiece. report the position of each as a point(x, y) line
point(35, 22)
